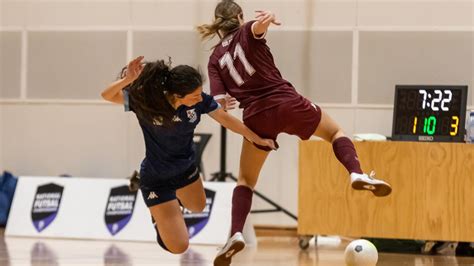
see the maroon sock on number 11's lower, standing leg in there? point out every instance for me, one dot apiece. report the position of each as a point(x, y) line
point(241, 204)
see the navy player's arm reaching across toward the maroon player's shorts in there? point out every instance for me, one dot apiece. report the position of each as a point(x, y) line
point(234, 124)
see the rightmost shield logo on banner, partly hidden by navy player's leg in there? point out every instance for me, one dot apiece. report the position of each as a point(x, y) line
point(195, 222)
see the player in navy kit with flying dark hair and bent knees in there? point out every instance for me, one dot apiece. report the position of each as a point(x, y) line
point(168, 103)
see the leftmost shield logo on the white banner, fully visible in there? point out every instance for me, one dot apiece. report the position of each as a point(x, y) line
point(46, 205)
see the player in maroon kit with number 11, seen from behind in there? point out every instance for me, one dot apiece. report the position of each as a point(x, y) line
point(242, 66)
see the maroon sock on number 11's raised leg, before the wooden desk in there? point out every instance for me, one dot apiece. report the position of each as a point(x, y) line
point(346, 154)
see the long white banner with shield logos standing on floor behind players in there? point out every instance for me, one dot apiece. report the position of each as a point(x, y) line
point(100, 208)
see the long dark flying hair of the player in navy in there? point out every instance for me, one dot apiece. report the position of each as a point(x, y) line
point(148, 93)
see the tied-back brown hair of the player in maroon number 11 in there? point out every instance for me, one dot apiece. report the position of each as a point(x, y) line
point(225, 21)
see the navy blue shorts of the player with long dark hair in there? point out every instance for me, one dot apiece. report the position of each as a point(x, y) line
point(165, 190)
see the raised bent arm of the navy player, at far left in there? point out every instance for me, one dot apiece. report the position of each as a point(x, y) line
point(113, 93)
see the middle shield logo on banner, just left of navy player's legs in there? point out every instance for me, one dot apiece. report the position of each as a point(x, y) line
point(119, 208)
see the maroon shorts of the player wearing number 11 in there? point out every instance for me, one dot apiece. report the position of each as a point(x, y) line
point(297, 117)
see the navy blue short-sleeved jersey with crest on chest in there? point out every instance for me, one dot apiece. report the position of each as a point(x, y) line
point(170, 151)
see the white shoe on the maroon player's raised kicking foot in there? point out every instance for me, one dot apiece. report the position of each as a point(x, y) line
point(380, 188)
